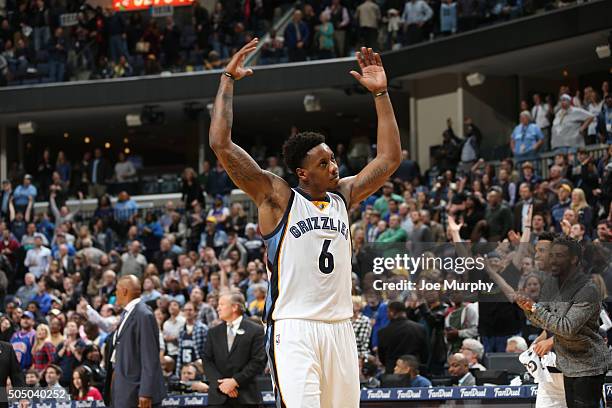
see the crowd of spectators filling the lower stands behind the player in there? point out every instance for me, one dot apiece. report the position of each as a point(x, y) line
point(59, 267)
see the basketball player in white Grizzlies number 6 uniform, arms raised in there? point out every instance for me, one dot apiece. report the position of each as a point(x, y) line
point(311, 344)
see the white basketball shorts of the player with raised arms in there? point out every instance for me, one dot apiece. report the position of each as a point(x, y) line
point(314, 364)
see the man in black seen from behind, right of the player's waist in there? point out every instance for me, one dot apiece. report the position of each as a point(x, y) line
point(392, 342)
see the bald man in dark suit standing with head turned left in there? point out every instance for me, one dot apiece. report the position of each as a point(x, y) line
point(138, 379)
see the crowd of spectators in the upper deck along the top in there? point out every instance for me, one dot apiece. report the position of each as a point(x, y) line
point(59, 40)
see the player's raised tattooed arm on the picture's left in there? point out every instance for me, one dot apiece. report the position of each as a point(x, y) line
point(239, 165)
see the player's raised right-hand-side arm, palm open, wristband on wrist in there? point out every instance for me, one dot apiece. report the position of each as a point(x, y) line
point(388, 157)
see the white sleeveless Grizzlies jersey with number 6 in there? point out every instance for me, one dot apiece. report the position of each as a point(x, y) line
point(309, 261)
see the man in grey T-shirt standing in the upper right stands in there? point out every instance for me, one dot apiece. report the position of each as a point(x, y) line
point(569, 124)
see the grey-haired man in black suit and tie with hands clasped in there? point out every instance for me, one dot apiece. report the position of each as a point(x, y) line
point(233, 356)
